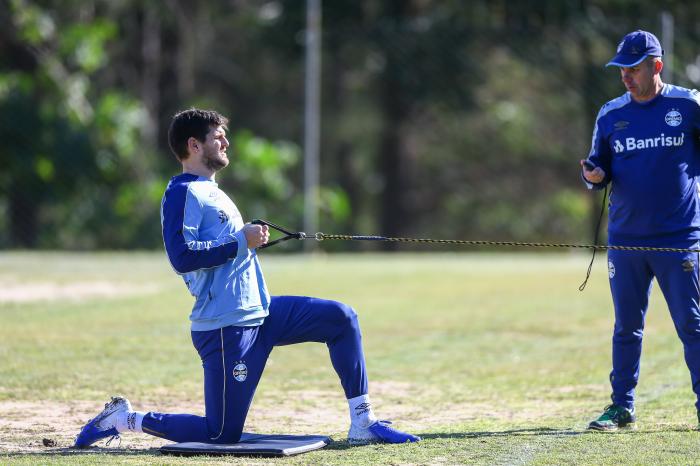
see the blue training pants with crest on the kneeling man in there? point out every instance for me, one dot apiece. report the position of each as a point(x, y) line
point(233, 359)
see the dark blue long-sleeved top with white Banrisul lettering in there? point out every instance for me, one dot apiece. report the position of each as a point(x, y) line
point(651, 154)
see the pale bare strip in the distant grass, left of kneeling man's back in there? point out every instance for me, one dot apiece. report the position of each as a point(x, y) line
point(74, 291)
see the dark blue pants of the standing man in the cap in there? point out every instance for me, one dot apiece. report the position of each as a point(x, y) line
point(631, 274)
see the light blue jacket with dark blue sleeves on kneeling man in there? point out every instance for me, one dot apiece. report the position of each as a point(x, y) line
point(205, 245)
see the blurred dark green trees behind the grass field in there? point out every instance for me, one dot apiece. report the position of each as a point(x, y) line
point(443, 118)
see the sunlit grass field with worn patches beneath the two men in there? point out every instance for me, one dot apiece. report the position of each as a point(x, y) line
point(493, 359)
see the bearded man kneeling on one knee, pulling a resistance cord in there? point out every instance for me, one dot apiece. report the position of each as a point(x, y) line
point(235, 322)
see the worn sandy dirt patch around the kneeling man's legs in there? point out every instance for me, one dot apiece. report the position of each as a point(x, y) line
point(27, 427)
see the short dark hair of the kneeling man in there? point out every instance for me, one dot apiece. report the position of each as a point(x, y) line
point(191, 123)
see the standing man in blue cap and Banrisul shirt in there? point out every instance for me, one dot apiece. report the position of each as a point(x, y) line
point(645, 143)
